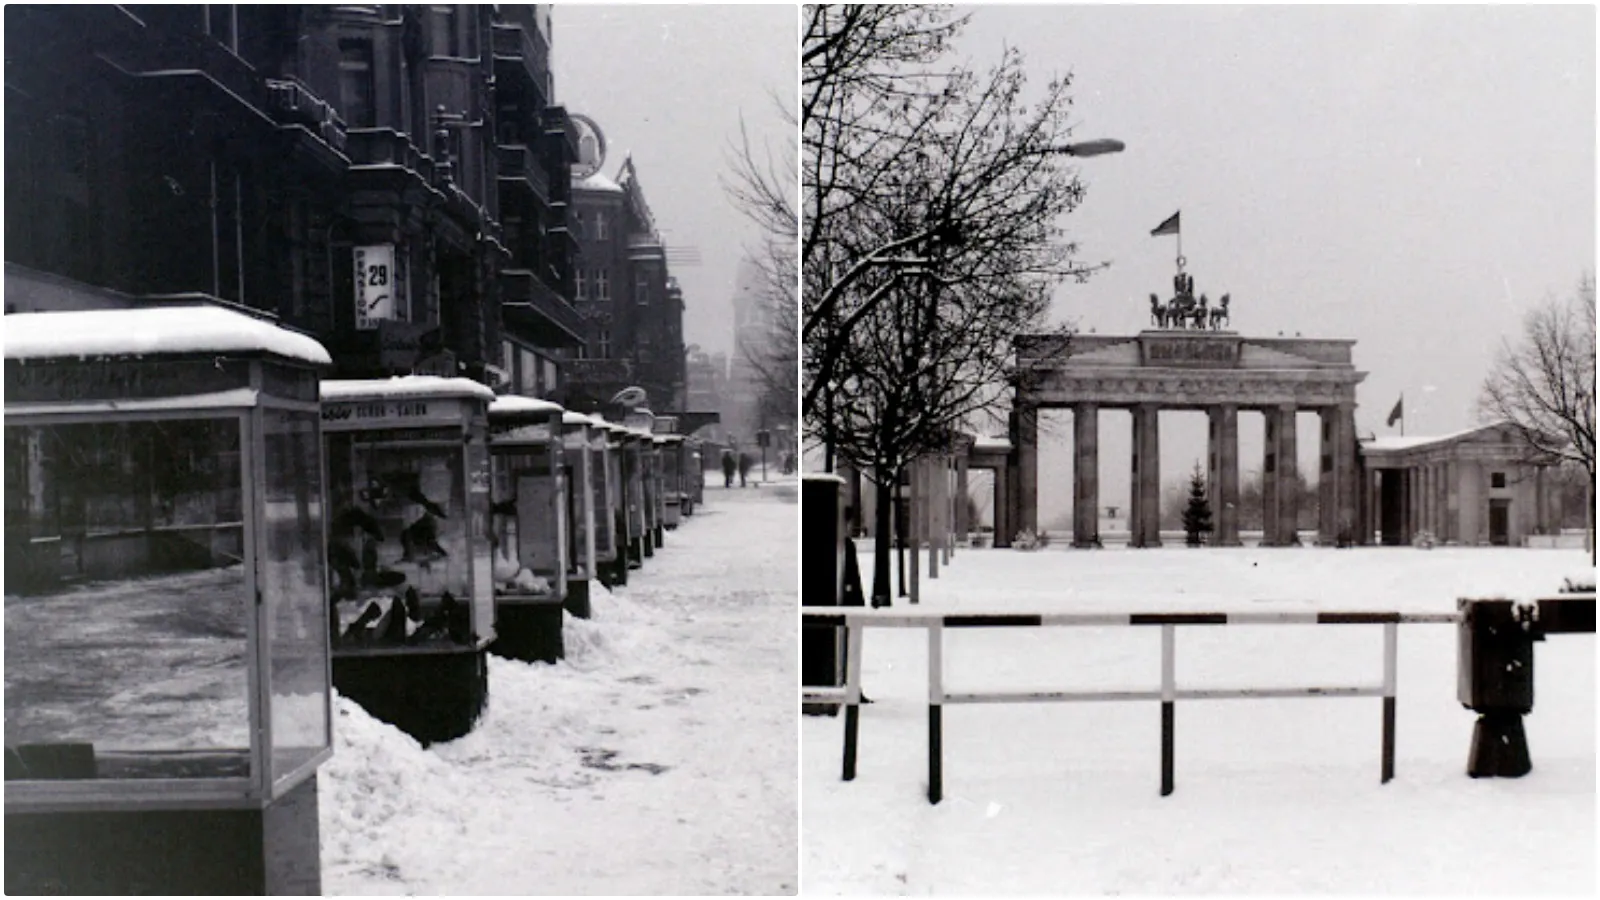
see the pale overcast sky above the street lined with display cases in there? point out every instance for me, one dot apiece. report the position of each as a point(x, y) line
point(670, 86)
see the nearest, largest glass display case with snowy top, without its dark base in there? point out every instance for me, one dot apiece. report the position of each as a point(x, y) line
point(164, 550)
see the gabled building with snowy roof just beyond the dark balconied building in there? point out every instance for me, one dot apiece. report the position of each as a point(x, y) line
point(631, 307)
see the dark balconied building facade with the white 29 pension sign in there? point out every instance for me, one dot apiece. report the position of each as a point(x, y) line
point(391, 180)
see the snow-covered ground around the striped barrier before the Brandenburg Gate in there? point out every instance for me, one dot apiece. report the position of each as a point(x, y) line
point(1271, 795)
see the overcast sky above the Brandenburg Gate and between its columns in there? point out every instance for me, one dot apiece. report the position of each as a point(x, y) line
point(1412, 179)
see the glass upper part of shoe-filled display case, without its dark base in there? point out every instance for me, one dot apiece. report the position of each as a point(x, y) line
point(409, 494)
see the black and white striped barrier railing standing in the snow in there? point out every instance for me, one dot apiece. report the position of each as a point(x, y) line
point(857, 622)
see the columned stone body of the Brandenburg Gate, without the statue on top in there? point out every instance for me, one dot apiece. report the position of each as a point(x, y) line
point(1218, 372)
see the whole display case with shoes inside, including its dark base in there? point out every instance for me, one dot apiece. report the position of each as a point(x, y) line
point(410, 573)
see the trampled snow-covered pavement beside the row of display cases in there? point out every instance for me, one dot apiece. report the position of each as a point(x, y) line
point(658, 758)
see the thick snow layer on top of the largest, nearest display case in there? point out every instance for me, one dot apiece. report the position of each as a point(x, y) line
point(153, 331)
